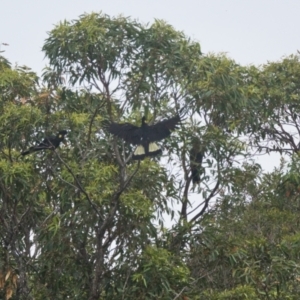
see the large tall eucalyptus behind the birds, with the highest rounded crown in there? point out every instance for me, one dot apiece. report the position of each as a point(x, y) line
point(85, 224)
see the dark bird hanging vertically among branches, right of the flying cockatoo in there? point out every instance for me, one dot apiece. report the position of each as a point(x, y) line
point(196, 157)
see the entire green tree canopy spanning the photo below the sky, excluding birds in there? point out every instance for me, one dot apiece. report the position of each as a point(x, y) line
point(85, 221)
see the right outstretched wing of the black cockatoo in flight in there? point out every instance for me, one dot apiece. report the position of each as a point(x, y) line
point(162, 129)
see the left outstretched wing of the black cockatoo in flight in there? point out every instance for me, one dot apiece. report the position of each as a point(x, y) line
point(128, 132)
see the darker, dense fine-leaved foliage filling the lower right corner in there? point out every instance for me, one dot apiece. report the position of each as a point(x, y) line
point(253, 245)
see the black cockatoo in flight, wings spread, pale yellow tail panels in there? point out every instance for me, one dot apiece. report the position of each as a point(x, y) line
point(144, 136)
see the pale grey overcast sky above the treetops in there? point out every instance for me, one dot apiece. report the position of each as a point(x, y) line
point(249, 31)
